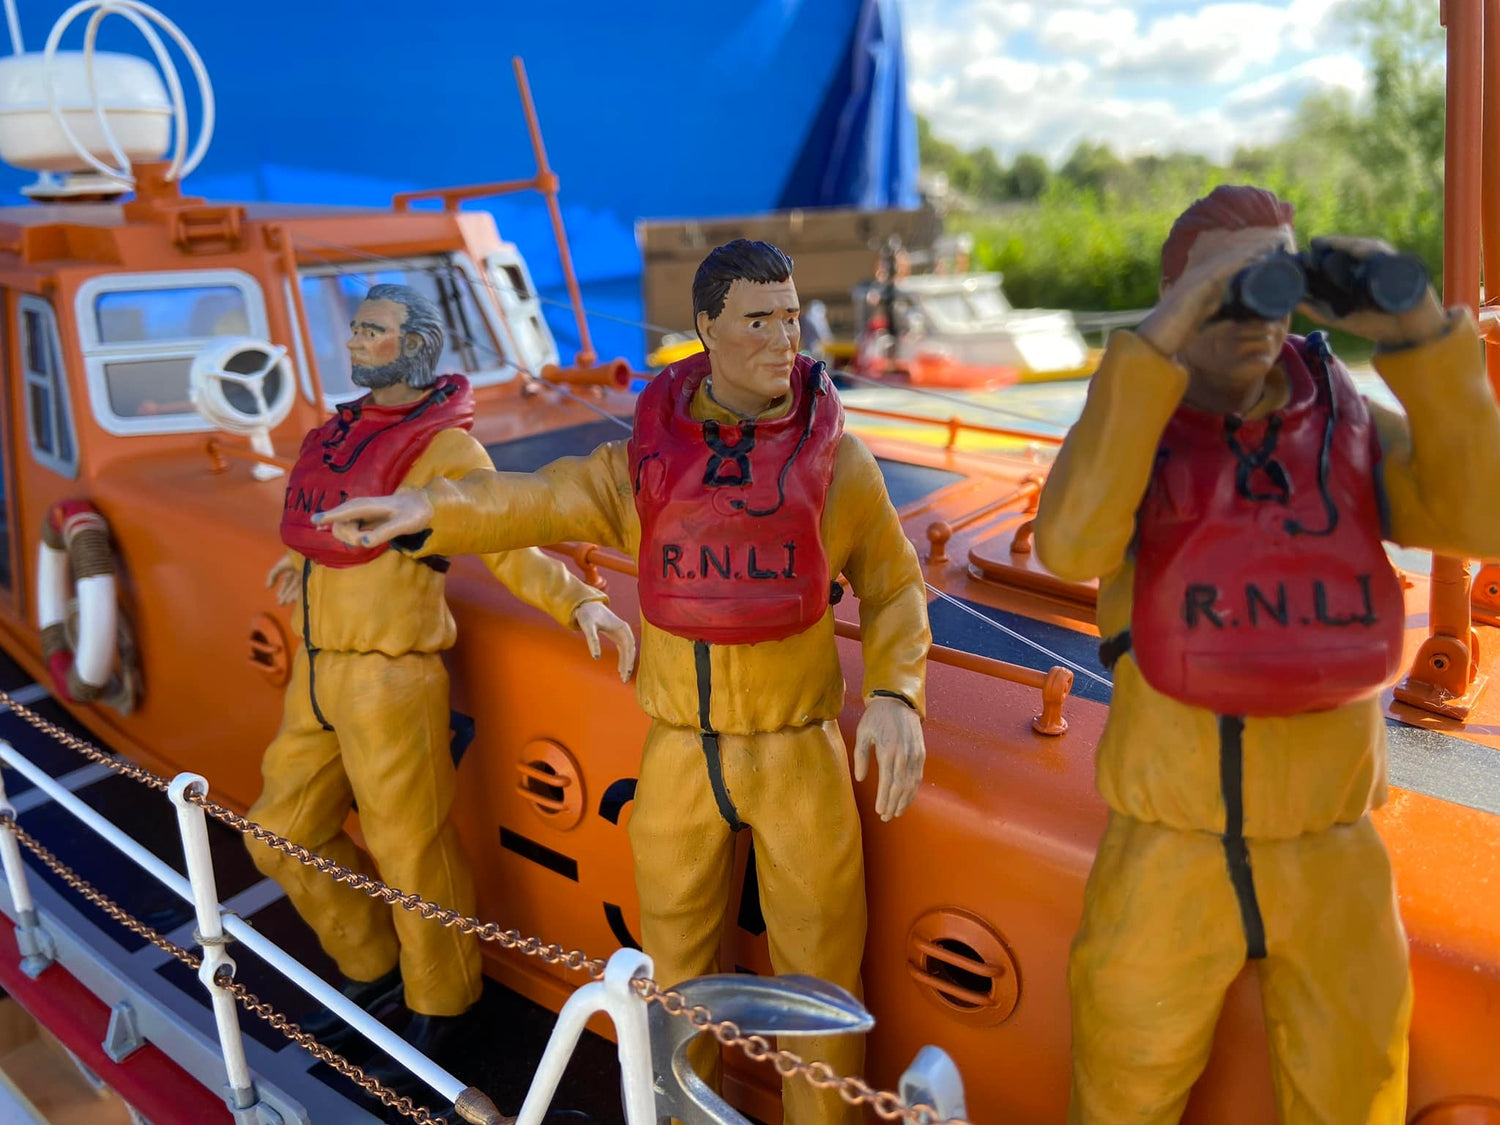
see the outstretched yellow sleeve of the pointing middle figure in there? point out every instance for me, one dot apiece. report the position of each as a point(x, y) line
point(574, 499)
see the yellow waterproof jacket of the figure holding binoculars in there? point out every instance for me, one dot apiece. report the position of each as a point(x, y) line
point(1159, 760)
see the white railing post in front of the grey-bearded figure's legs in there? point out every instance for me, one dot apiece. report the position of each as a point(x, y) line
point(211, 937)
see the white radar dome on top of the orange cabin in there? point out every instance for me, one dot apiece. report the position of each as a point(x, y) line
point(136, 107)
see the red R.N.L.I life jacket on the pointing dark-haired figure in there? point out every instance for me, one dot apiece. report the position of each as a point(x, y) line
point(731, 515)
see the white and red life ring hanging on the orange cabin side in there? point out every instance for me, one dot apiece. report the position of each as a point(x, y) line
point(86, 643)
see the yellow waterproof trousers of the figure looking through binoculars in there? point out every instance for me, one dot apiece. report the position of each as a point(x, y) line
point(1163, 938)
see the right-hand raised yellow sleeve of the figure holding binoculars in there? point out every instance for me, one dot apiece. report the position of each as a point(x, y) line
point(1441, 463)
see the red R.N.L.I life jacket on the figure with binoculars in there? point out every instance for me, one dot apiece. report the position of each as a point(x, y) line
point(1262, 587)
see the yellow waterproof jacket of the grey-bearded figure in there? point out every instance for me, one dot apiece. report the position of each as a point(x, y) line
point(395, 605)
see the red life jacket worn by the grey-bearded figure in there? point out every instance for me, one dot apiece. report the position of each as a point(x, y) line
point(365, 451)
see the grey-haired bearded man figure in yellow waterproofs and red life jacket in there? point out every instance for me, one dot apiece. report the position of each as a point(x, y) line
point(367, 712)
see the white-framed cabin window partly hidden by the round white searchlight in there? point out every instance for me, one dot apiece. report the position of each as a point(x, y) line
point(142, 334)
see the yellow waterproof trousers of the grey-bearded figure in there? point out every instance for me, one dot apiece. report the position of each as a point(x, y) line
point(373, 730)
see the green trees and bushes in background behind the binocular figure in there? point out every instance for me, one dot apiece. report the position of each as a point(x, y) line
point(1369, 167)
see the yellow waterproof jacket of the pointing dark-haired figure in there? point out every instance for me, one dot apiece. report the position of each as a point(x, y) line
point(755, 688)
